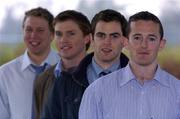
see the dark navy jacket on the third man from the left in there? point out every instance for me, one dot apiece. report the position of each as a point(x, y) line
point(64, 99)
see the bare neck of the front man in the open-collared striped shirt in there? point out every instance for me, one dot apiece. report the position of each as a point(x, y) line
point(143, 72)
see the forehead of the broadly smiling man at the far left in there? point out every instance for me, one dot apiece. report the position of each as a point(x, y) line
point(36, 22)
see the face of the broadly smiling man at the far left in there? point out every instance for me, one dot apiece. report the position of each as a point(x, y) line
point(37, 35)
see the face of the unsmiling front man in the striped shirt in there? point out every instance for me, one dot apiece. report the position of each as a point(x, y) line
point(144, 42)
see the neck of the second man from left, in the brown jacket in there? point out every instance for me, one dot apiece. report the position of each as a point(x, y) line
point(72, 62)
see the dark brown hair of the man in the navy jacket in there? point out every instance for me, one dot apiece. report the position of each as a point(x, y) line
point(109, 15)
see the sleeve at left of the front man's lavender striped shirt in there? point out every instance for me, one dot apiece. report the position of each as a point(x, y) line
point(90, 107)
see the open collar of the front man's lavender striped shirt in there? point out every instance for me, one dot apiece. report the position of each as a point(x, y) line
point(127, 76)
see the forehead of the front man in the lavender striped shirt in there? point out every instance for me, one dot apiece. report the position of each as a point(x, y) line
point(144, 26)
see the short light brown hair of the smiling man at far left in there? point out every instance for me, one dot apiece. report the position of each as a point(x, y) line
point(42, 13)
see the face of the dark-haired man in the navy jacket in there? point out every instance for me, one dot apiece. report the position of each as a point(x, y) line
point(108, 41)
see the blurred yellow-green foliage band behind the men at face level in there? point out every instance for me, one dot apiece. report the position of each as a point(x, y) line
point(169, 58)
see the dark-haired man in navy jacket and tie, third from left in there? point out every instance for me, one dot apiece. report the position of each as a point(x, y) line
point(109, 31)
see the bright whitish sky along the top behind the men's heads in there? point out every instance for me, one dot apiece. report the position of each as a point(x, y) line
point(56, 6)
